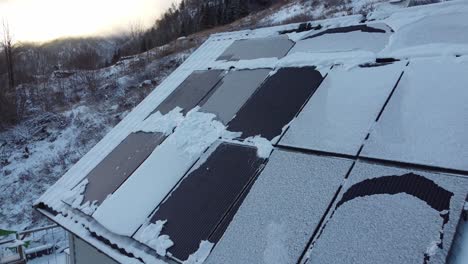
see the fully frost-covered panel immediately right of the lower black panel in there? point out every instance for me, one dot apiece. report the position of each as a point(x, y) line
point(281, 211)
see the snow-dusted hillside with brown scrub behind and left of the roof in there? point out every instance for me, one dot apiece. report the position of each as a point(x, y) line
point(70, 111)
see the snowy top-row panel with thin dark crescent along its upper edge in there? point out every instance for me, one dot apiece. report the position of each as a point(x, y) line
point(372, 37)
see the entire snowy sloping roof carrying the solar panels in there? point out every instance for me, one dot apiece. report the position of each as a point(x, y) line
point(340, 140)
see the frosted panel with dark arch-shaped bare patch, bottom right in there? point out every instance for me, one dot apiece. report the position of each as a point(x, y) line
point(391, 215)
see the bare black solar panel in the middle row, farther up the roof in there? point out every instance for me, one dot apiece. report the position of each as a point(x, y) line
point(276, 103)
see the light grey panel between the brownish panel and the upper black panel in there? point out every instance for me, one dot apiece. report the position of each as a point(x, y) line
point(232, 92)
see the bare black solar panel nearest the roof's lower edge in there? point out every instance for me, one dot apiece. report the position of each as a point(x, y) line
point(198, 205)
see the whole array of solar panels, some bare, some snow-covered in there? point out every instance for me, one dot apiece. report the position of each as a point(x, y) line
point(368, 162)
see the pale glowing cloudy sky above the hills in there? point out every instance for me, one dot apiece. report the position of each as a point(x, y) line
point(43, 20)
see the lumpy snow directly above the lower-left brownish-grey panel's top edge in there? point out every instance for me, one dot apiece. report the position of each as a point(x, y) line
point(161, 123)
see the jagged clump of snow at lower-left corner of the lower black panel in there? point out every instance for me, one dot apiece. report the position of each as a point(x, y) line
point(151, 236)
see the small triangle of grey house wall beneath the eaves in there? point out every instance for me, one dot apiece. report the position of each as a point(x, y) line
point(82, 253)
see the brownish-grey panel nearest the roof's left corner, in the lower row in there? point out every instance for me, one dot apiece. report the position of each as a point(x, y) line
point(111, 172)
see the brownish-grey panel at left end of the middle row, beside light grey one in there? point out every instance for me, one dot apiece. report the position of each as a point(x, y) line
point(191, 91)
